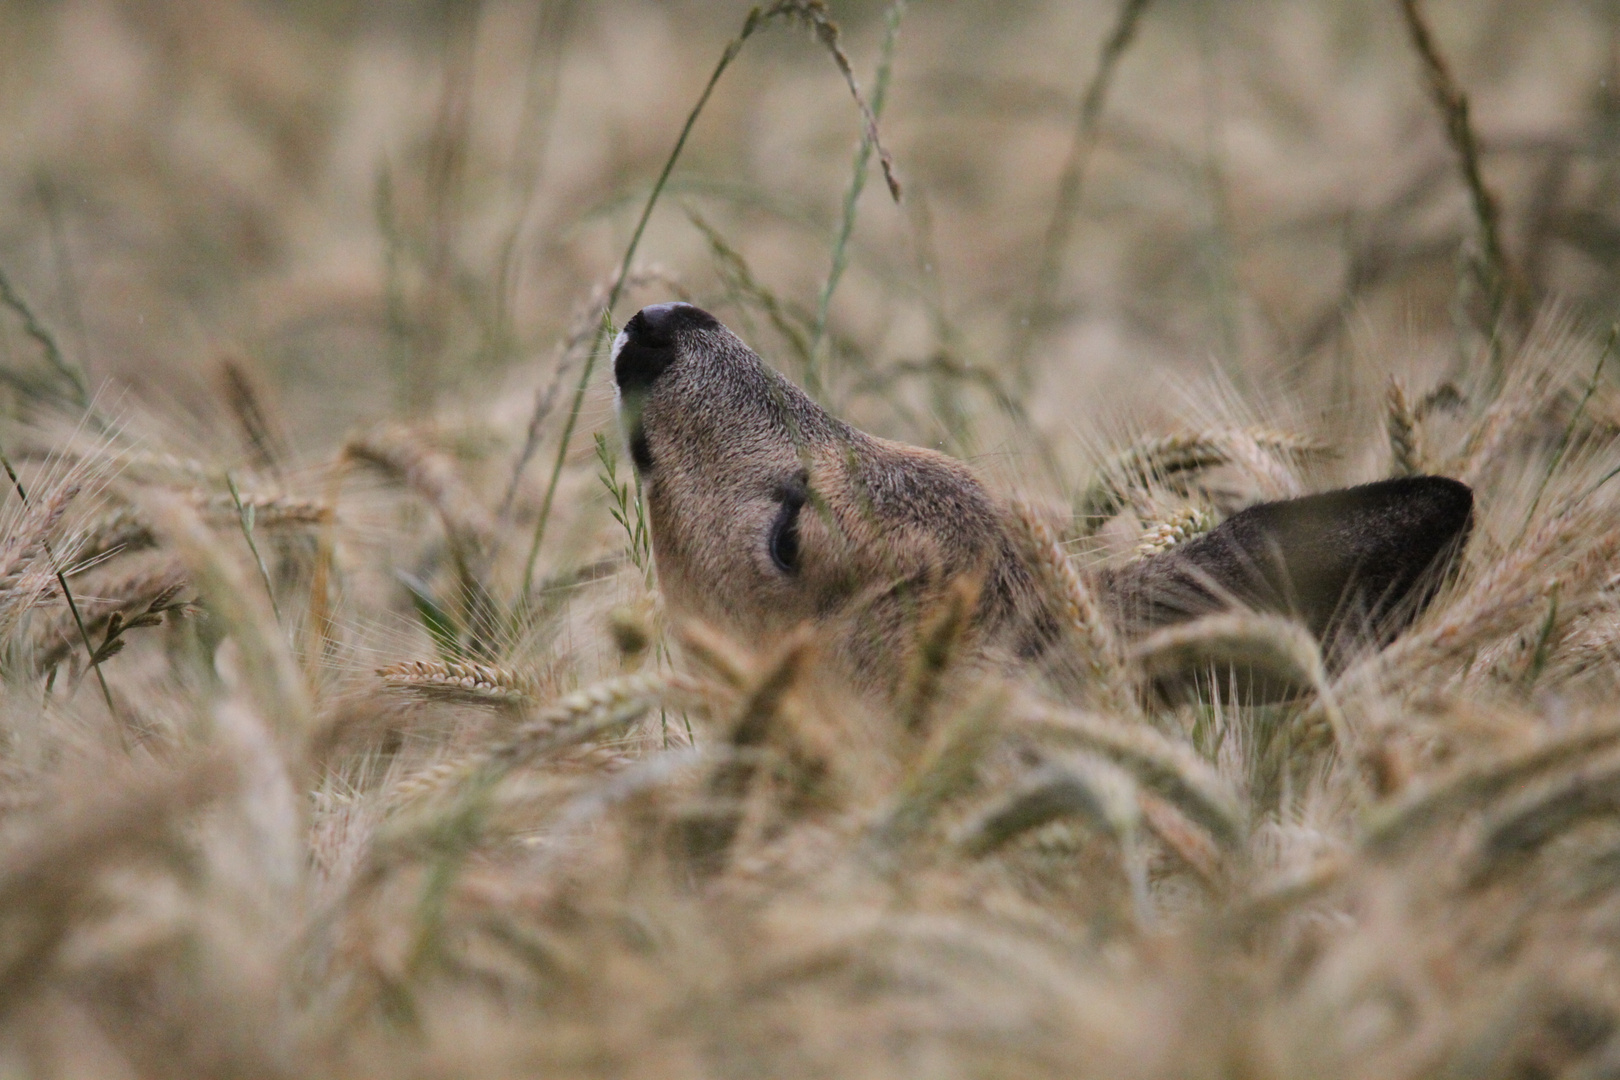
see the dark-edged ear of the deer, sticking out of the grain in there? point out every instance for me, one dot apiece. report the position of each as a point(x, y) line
point(1355, 564)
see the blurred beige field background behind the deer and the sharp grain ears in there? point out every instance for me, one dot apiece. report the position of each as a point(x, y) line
point(385, 210)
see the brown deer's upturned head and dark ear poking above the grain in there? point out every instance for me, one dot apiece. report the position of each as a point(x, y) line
point(728, 451)
